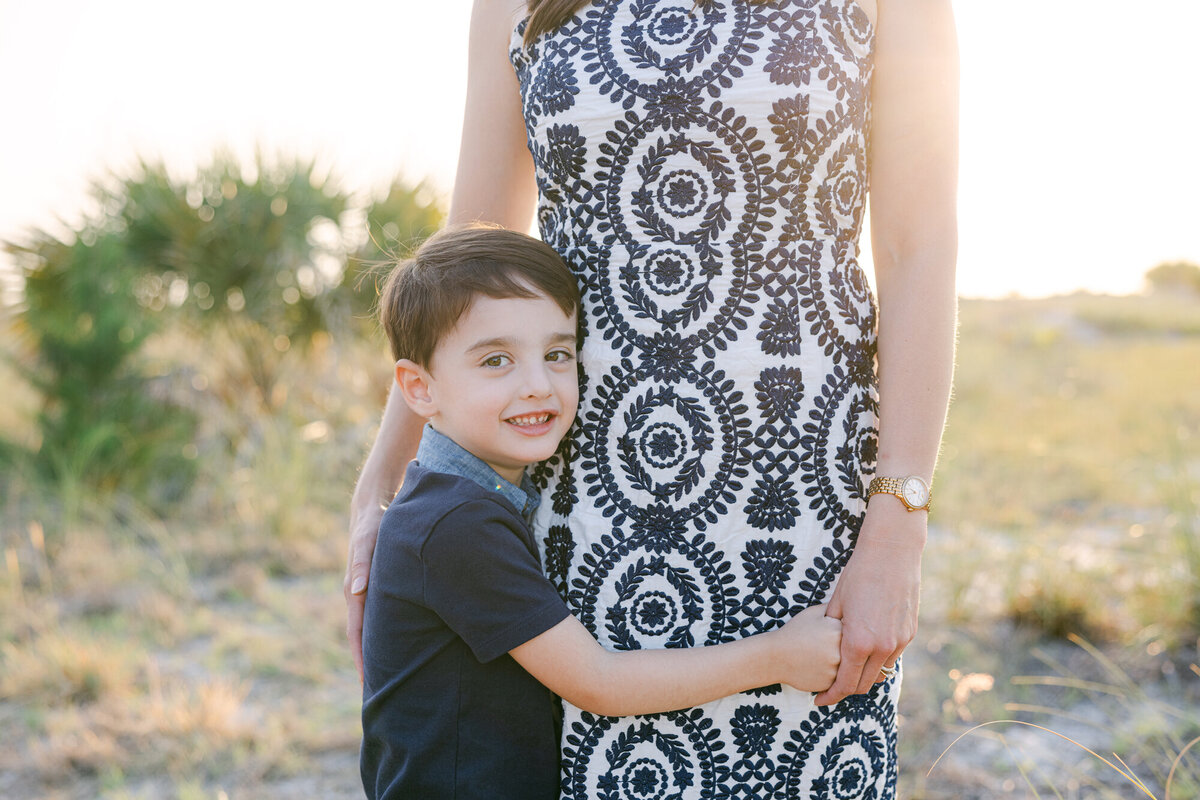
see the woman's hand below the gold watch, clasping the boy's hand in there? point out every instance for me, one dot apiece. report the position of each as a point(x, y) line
point(878, 597)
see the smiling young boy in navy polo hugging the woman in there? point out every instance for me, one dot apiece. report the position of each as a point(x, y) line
point(460, 623)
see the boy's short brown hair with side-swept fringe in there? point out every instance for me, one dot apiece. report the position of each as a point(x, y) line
point(425, 296)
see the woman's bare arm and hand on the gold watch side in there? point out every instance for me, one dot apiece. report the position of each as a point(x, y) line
point(914, 165)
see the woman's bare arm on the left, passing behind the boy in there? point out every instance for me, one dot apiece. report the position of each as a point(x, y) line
point(494, 184)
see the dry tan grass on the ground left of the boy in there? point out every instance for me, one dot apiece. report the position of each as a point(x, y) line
point(200, 654)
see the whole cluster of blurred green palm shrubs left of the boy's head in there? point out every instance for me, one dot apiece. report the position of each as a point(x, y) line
point(253, 261)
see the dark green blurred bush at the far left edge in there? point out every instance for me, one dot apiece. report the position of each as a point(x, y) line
point(105, 422)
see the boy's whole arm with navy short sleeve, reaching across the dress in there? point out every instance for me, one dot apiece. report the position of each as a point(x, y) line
point(484, 581)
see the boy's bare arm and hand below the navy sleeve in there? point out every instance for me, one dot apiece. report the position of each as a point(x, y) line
point(572, 664)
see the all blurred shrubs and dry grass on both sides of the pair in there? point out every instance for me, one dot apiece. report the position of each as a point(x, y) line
point(193, 380)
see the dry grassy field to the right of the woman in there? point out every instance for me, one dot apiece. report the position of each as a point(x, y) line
point(1067, 504)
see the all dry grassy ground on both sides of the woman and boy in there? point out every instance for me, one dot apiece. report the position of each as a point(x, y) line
point(203, 655)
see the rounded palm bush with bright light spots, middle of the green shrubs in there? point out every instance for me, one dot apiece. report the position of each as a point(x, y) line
point(256, 254)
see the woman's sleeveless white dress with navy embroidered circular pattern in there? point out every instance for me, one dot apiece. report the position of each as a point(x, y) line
point(704, 173)
